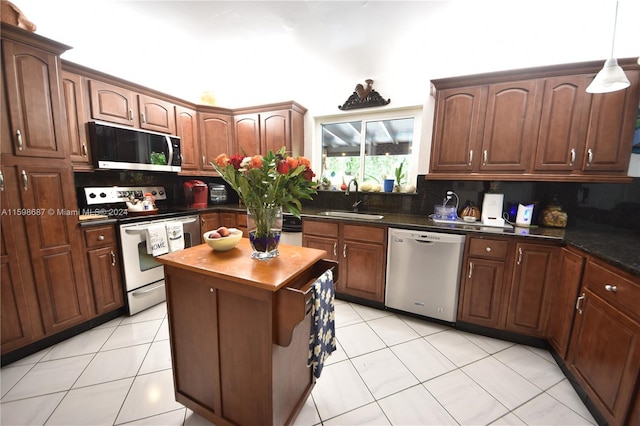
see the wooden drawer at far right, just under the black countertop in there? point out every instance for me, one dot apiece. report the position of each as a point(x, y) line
point(620, 291)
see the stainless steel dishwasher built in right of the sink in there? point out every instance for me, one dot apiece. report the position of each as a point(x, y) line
point(423, 273)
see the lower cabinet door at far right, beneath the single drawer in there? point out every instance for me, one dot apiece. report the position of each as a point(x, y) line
point(605, 356)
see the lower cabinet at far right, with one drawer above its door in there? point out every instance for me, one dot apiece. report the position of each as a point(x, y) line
point(604, 353)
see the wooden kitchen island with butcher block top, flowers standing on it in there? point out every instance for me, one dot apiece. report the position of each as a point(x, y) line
point(239, 331)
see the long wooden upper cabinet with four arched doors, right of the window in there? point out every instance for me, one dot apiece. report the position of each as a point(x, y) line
point(536, 124)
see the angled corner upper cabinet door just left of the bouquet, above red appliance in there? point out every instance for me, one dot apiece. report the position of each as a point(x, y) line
point(216, 137)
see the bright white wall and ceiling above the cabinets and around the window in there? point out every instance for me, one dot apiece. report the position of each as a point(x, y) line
point(248, 53)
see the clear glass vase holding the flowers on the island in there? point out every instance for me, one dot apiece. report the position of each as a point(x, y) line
point(264, 225)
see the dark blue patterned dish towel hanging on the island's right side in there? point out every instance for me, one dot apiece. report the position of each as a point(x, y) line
point(323, 333)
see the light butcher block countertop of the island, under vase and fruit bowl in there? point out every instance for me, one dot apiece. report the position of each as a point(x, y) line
point(237, 265)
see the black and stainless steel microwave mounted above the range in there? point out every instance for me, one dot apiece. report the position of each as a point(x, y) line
point(124, 148)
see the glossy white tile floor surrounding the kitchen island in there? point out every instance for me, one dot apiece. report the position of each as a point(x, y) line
point(389, 369)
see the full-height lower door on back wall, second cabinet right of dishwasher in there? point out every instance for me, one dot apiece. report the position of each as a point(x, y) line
point(534, 273)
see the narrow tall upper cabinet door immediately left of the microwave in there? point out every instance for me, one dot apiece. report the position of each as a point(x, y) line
point(73, 93)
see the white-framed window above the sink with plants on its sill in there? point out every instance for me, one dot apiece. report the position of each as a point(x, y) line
point(369, 148)
